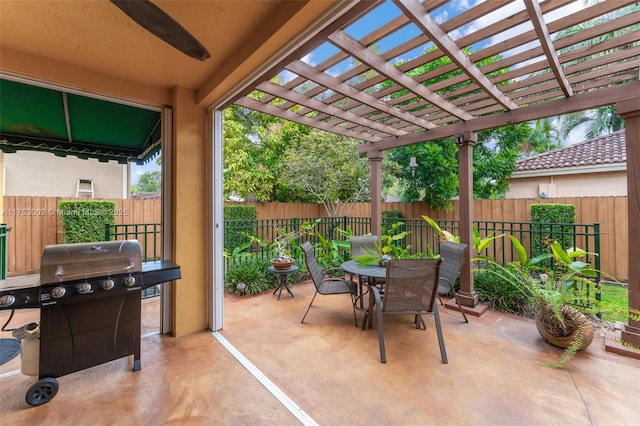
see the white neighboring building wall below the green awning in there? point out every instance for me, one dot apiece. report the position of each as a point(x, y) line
point(34, 173)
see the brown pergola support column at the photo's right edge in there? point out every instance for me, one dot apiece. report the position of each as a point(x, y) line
point(630, 111)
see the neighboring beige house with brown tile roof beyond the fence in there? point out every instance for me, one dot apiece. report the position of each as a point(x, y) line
point(596, 167)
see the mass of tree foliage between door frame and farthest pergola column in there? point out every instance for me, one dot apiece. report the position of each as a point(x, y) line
point(277, 160)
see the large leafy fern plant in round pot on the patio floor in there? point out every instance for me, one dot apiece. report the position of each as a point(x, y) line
point(564, 316)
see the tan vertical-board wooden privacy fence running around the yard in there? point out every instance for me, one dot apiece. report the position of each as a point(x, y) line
point(34, 222)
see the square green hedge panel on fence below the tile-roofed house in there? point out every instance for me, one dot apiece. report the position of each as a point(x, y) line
point(544, 228)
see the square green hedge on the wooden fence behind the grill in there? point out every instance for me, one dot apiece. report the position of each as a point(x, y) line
point(84, 221)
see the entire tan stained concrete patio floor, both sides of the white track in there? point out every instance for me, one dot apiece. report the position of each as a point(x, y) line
point(331, 370)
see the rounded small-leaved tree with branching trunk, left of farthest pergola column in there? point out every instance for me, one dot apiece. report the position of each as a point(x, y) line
point(326, 168)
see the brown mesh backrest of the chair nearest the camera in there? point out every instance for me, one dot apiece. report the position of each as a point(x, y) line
point(411, 285)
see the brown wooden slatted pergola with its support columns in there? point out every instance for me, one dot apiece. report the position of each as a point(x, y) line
point(499, 62)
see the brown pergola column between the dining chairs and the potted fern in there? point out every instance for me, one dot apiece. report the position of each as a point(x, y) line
point(466, 141)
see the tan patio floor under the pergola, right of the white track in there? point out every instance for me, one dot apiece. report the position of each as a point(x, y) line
point(332, 370)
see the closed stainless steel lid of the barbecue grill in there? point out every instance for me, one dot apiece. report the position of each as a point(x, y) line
point(66, 262)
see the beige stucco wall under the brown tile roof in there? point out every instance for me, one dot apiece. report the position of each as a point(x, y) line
point(582, 185)
